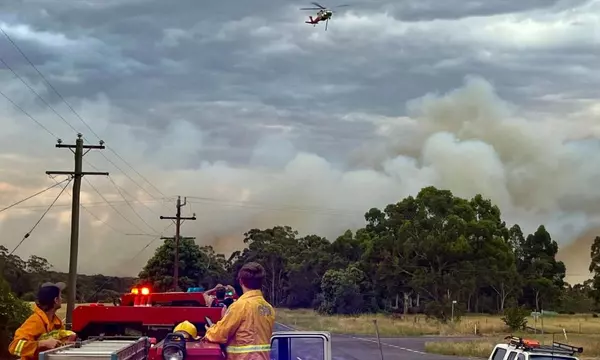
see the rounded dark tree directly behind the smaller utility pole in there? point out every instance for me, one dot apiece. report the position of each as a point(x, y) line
point(158, 272)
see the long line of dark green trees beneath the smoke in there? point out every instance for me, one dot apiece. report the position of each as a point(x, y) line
point(419, 255)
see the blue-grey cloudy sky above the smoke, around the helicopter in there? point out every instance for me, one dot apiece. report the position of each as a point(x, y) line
point(231, 68)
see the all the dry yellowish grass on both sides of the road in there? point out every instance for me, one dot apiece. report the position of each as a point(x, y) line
point(582, 330)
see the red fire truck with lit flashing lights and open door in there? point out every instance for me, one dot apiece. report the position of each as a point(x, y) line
point(140, 327)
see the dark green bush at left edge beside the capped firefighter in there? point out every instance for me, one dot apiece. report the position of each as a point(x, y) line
point(13, 312)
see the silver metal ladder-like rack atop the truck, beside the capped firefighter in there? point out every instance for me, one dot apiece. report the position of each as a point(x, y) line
point(113, 348)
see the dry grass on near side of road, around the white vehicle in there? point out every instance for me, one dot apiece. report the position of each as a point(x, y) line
point(483, 348)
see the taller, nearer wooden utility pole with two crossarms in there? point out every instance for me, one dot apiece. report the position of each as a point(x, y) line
point(77, 174)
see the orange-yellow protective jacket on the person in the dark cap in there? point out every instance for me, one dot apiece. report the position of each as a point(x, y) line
point(37, 327)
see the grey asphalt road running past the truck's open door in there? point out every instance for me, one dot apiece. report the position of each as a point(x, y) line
point(346, 347)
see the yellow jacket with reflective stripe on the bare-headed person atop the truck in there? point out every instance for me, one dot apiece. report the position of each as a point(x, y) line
point(246, 328)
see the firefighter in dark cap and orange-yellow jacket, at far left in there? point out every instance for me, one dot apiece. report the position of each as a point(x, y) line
point(43, 330)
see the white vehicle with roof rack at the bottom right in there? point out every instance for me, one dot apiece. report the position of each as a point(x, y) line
point(525, 349)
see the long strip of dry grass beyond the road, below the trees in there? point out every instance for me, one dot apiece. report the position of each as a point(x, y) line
point(419, 325)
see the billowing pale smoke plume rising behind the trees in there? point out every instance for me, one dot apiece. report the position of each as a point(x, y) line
point(467, 140)
